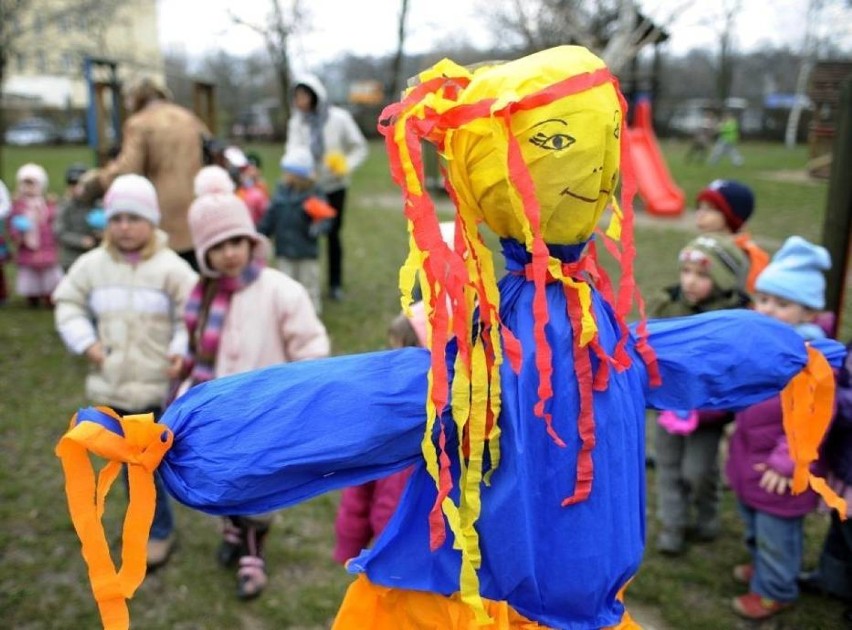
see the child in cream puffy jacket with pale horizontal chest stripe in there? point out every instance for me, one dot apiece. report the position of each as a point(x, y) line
point(121, 305)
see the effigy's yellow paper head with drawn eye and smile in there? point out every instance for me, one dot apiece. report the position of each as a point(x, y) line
point(570, 146)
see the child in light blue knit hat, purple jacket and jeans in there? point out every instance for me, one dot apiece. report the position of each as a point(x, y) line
point(760, 469)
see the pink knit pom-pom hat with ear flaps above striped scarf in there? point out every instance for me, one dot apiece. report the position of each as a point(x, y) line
point(217, 217)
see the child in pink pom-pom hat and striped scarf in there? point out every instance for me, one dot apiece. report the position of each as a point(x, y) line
point(241, 316)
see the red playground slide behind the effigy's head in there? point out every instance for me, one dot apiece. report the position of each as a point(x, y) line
point(660, 195)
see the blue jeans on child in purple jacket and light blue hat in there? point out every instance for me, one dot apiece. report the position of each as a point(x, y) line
point(776, 546)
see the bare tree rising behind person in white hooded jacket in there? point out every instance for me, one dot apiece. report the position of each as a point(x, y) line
point(281, 25)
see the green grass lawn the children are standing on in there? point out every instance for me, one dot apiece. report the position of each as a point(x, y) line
point(43, 581)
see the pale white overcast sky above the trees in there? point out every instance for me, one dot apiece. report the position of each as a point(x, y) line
point(338, 25)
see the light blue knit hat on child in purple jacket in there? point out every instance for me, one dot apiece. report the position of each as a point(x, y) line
point(796, 273)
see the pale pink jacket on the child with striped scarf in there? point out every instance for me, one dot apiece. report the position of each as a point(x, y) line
point(273, 302)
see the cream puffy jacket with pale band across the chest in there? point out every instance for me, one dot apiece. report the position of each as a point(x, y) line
point(135, 311)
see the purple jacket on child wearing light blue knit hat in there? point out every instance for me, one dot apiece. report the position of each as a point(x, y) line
point(759, 439)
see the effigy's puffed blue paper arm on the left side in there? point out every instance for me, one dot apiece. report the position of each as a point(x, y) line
point(350, 419)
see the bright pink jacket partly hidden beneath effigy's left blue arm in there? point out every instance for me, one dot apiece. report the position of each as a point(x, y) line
point(364, 511)
